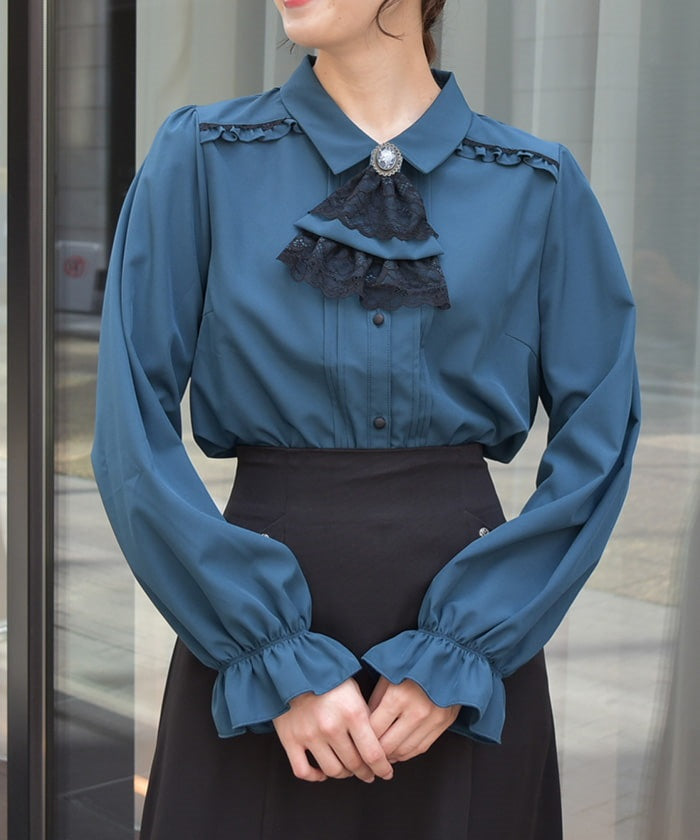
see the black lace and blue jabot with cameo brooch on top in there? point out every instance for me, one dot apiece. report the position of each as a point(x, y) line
point(351, 243)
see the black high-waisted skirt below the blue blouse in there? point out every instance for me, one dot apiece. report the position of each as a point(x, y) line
point(370, 529)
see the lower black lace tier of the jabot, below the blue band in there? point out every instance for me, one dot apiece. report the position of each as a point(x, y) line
point(341, 271)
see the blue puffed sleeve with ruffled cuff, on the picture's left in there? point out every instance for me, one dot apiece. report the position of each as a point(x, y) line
point(237, 599)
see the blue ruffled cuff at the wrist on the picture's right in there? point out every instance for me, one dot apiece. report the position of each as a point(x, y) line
point(449, 673)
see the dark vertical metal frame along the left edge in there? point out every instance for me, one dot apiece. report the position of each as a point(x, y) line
point(29, 433)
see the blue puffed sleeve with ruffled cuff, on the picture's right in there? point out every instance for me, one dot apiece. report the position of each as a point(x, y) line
point(498, 601)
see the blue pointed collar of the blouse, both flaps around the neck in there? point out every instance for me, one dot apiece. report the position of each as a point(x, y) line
point(426, 143)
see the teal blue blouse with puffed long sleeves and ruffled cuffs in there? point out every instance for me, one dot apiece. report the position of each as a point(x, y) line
point(539, 309)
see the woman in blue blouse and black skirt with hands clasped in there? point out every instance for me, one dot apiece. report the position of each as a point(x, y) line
point(361, 321)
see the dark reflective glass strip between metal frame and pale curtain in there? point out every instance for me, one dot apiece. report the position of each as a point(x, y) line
point(93, 589)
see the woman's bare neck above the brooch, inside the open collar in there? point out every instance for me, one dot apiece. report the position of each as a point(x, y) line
point(383, 88)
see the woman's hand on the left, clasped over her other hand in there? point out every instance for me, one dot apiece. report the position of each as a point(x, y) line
point(335, 728)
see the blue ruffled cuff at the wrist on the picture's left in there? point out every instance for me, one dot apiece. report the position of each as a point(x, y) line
point(257, 686)
